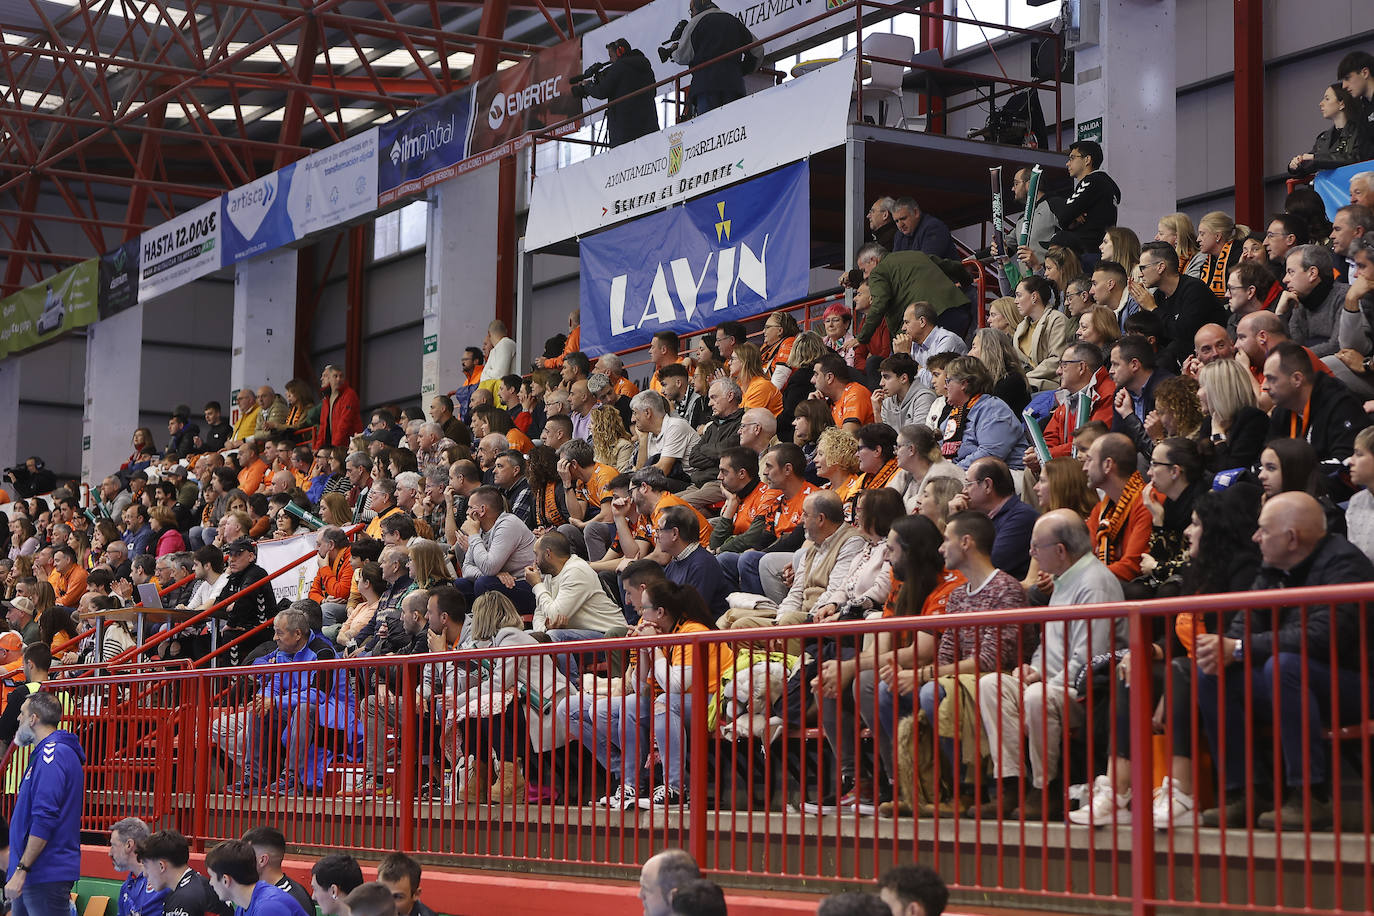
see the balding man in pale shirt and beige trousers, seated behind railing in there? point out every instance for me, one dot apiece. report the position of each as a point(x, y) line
point(1039, 701)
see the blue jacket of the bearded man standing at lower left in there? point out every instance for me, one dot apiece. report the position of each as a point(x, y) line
point(50, 807)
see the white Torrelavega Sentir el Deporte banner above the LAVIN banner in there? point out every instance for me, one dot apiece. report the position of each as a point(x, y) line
point(725, 146)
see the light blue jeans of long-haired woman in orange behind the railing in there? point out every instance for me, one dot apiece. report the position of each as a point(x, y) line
point(618, 730)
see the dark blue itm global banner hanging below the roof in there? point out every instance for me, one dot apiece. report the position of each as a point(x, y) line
point(424, 148)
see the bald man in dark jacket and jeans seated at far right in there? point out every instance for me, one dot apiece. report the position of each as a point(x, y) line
point(1298, 553)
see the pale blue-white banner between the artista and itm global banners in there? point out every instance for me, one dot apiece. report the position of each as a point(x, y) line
point(333, 186)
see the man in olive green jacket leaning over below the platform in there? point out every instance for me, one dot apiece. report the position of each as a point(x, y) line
point(897, 279)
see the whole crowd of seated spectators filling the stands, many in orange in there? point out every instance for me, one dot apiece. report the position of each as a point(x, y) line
point(1126, 407)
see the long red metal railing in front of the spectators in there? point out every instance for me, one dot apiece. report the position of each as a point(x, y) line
point(762, 807)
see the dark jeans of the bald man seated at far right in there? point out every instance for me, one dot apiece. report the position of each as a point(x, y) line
point(1295, 709)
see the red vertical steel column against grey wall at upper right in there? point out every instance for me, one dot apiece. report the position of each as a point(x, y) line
point(1250, 112)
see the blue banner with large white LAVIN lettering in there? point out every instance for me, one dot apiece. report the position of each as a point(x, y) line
point(725, 256)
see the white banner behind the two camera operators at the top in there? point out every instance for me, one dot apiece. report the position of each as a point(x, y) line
point(651, 25)
